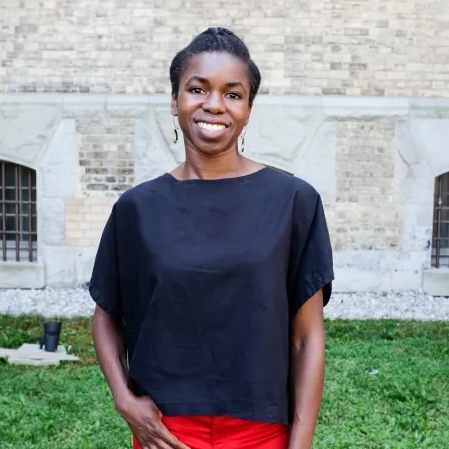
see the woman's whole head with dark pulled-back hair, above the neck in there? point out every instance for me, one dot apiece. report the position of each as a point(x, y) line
point(214, 83)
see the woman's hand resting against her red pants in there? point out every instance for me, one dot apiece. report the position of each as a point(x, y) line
point(144, 420)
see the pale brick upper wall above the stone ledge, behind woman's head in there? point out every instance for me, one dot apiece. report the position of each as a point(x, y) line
point(342, 47)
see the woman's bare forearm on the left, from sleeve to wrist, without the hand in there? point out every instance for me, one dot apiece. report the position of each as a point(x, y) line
point(110, 347)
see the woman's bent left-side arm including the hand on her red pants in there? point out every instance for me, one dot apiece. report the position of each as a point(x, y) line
point(141, 413)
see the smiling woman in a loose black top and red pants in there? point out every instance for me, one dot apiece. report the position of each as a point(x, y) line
point(210, 280)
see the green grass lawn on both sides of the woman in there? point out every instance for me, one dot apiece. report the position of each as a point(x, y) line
point(404, 406)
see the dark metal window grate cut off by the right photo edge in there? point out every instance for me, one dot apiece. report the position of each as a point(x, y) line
point(440, 239)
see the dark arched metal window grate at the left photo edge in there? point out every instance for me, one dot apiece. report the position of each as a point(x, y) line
point(18, 231)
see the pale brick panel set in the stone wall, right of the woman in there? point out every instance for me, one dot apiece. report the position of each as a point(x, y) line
point(365, 215)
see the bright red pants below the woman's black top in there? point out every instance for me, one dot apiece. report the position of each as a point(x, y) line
point(224, 432)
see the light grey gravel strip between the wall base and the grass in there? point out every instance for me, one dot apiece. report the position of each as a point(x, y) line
point(77, 302)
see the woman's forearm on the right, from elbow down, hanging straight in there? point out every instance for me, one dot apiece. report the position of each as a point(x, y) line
point(308, 380)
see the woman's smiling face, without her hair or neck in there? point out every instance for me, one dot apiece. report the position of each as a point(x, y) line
point(213, 102)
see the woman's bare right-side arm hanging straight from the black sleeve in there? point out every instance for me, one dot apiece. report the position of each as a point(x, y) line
point(307, 362)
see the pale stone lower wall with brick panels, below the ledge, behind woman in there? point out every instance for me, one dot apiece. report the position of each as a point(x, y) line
point(373, 160)
